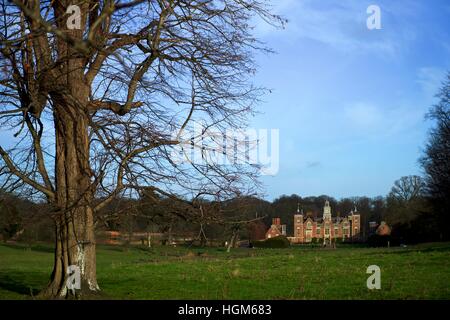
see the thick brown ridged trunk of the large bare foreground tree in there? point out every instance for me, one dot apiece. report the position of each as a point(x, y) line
point(74, 221)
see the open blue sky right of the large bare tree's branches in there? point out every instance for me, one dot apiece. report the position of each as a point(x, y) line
point(350, 102)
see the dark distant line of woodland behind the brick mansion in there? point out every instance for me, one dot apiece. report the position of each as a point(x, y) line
point(408, 209)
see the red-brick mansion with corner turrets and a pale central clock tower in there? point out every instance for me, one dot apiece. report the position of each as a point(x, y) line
point(326, 229)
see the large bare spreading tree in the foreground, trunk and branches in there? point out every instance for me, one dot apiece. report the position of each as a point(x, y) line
point(100, 108)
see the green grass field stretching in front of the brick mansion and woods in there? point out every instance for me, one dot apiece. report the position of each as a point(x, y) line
point(416, 272)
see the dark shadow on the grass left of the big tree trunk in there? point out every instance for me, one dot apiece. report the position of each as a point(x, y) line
point(21, 283)
